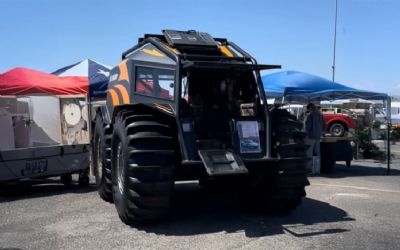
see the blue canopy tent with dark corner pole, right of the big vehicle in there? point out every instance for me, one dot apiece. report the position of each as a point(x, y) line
point(294, 86)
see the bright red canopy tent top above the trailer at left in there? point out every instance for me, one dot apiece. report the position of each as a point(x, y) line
point(23, 81)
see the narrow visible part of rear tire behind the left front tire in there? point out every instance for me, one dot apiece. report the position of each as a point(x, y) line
point(102, 158)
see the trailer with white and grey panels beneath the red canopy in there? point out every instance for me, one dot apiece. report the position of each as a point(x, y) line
point(44, 136)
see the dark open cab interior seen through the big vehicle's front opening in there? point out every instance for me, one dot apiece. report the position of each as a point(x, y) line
point(215, 100)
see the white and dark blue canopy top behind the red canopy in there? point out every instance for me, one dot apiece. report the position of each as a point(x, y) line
point(93, 73)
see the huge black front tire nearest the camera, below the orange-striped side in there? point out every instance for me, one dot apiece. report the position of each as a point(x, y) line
point(143, 160)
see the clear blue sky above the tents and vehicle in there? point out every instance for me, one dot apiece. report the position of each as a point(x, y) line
point(49, 34)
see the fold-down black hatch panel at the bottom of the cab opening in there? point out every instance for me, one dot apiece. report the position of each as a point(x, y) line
point(222, 162)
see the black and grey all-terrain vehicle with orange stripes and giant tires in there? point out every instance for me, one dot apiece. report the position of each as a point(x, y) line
point(187, 106)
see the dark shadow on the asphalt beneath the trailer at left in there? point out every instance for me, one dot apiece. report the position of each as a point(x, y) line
point(26, 189)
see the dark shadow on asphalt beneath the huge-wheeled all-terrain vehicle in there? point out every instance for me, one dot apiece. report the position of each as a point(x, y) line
point(200, 212)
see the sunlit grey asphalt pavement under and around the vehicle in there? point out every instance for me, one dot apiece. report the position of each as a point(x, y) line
point(351, 208)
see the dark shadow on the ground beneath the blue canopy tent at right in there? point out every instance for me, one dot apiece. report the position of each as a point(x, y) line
point(357, 169)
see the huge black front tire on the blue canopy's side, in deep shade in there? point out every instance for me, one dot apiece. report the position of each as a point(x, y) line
point(279, 187)
